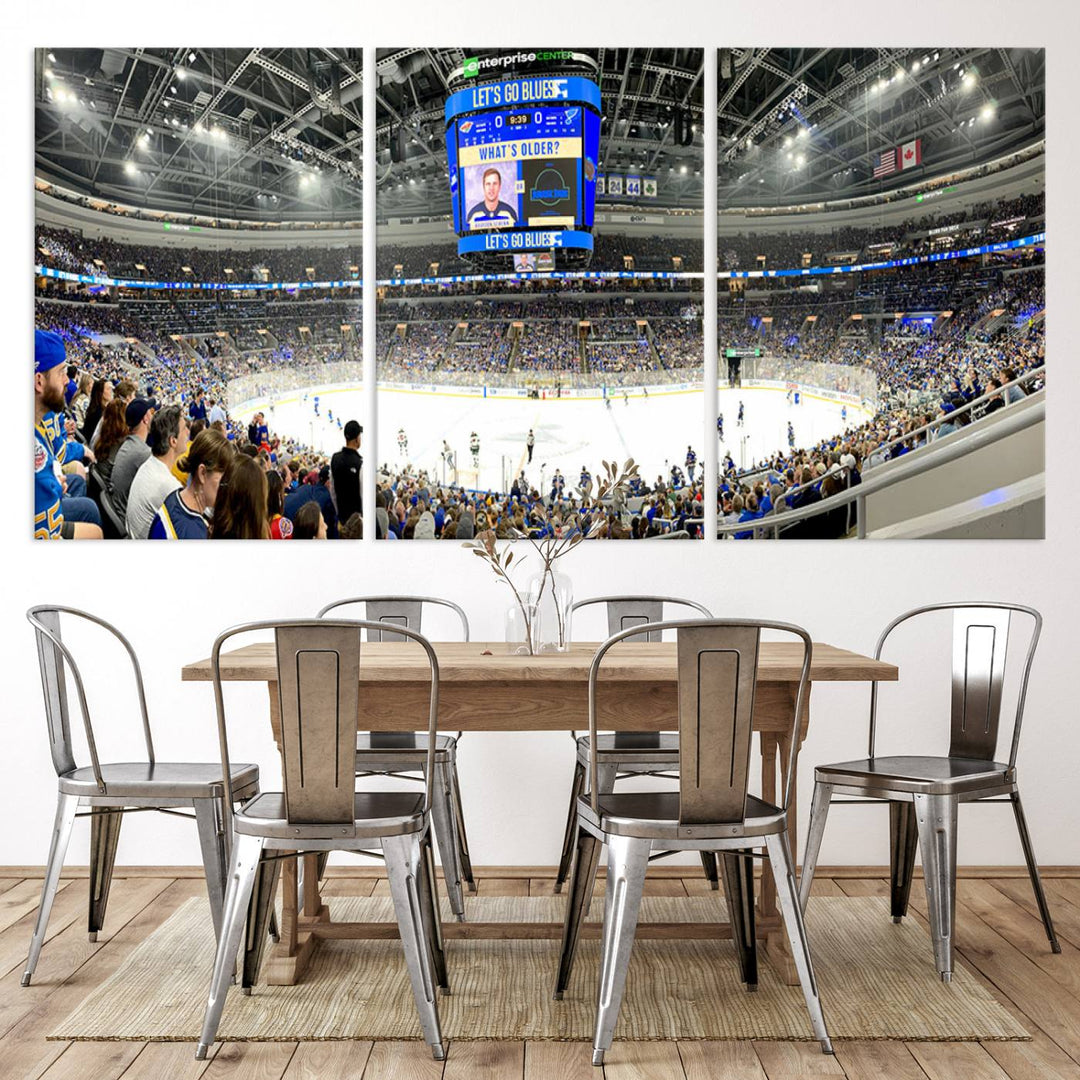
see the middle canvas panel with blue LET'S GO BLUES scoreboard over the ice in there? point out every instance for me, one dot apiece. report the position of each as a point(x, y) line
point(539, 238)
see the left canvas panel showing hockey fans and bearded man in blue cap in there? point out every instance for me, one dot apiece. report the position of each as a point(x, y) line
point(198, 293)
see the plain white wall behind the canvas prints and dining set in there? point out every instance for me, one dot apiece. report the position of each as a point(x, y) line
point(172, 603)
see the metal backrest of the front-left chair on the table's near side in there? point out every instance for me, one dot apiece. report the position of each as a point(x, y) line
point(319, 704)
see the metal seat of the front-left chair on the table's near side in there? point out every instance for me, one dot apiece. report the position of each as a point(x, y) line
point(375, 814)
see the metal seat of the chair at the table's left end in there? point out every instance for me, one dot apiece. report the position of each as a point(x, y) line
point(171, 780)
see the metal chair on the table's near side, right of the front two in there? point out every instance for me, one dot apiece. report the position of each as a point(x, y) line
point(712, 812)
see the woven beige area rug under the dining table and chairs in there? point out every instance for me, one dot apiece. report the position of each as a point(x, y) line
point(876, 979)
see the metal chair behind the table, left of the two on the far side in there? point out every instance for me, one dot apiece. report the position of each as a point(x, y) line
point(402, 754)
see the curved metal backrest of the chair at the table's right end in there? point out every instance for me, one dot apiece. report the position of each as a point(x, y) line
point(980, 645)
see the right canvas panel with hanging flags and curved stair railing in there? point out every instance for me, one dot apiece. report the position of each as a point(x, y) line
point(882, 241)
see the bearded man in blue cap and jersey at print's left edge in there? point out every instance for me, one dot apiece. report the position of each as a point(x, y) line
point(56, 516)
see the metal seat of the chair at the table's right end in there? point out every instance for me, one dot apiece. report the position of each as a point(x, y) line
point(925, 776)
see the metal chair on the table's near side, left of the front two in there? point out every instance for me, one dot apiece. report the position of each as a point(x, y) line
point(321, 812)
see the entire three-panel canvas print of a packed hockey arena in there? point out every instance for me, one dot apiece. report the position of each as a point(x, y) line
point(539, 290)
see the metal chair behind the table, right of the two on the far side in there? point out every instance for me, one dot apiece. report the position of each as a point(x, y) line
point(628, 753)
